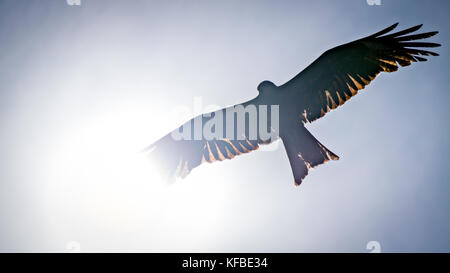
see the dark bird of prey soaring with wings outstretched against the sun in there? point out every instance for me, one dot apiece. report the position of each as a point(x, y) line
point(331, 80)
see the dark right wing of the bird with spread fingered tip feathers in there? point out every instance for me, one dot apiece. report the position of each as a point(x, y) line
point(340, 72)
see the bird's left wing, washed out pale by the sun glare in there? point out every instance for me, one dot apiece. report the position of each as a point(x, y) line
point(177, 157)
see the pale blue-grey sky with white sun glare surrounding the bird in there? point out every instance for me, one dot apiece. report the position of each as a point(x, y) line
point(85, 88)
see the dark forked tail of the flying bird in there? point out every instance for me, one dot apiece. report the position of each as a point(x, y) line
point(305, 152)
